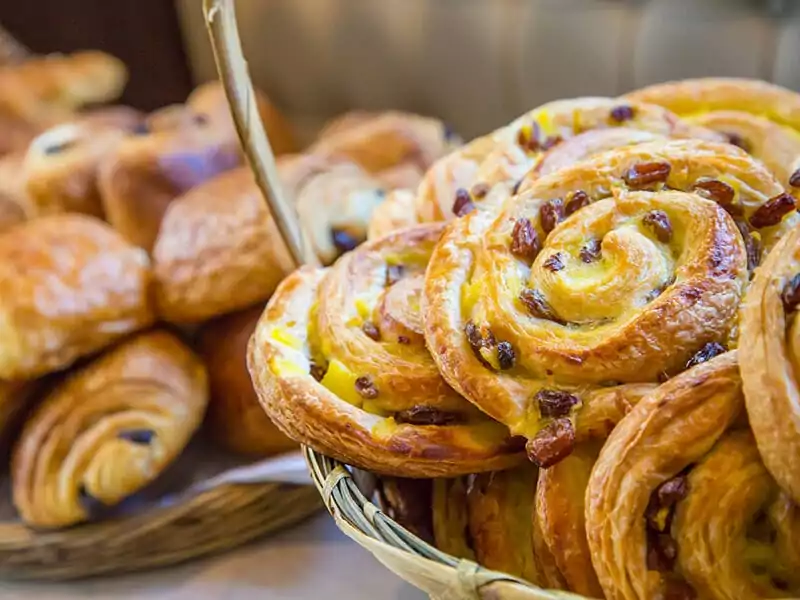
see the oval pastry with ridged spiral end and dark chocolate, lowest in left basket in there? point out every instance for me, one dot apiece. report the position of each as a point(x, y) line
point(110, 429)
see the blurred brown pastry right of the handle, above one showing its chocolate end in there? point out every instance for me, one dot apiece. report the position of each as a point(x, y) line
point(381, 141)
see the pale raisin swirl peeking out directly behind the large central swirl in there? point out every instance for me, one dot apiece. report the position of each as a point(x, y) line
point(556, 134)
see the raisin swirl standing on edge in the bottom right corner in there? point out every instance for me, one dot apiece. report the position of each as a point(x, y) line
point(679, 504)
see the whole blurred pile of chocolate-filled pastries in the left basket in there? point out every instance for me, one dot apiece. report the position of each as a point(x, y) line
point(136, 255)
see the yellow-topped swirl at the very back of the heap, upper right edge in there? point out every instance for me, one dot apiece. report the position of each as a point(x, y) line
point(759, 117)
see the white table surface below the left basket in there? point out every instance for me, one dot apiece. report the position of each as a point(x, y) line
point(310, 561)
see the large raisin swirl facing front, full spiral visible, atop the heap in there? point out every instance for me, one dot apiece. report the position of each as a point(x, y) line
point(643, 271)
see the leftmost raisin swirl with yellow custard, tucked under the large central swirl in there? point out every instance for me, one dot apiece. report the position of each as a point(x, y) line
point(339, 363)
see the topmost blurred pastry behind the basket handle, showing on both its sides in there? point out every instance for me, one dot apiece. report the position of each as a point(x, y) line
point(209, 100)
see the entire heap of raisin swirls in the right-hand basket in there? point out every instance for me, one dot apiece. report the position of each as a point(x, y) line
point(572, 352)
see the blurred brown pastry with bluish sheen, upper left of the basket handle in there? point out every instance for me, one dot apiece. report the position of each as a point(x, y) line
point(177, 150)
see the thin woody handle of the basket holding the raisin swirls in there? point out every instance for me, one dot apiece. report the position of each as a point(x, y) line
point(220, 18)
